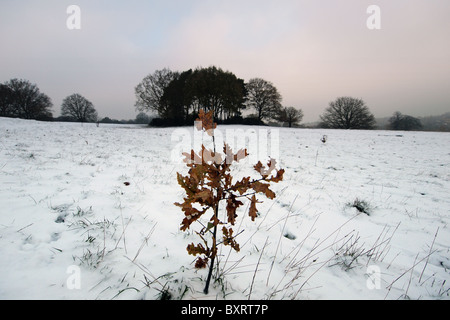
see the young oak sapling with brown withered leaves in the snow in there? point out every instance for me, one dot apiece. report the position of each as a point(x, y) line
point(209, 183)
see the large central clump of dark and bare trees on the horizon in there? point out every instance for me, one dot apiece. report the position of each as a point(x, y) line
point(176, 97)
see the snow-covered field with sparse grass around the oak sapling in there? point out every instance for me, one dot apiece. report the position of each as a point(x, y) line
point(87, 212)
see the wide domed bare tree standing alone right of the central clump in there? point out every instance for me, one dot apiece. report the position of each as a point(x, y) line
point(347, 113)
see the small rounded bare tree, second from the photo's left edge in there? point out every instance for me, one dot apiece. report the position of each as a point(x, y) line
point(79, 108)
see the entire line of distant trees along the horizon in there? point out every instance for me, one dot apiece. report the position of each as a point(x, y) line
point(176, 98)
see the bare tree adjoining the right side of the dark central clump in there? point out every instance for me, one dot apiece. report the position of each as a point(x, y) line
point(264, 97)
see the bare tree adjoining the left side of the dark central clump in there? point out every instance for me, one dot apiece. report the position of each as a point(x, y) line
point(151, 89)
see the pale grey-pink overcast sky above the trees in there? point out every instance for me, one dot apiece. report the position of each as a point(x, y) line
point(312, 51)
